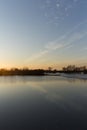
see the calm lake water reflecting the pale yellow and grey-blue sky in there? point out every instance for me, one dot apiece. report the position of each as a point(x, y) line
point(43, 103)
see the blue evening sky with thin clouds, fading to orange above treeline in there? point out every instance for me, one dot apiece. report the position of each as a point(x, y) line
point(43, 33)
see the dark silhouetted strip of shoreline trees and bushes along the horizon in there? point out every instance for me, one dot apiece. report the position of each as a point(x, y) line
point(71, 69)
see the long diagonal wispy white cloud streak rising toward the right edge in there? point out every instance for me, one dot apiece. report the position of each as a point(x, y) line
point(65, 41)
